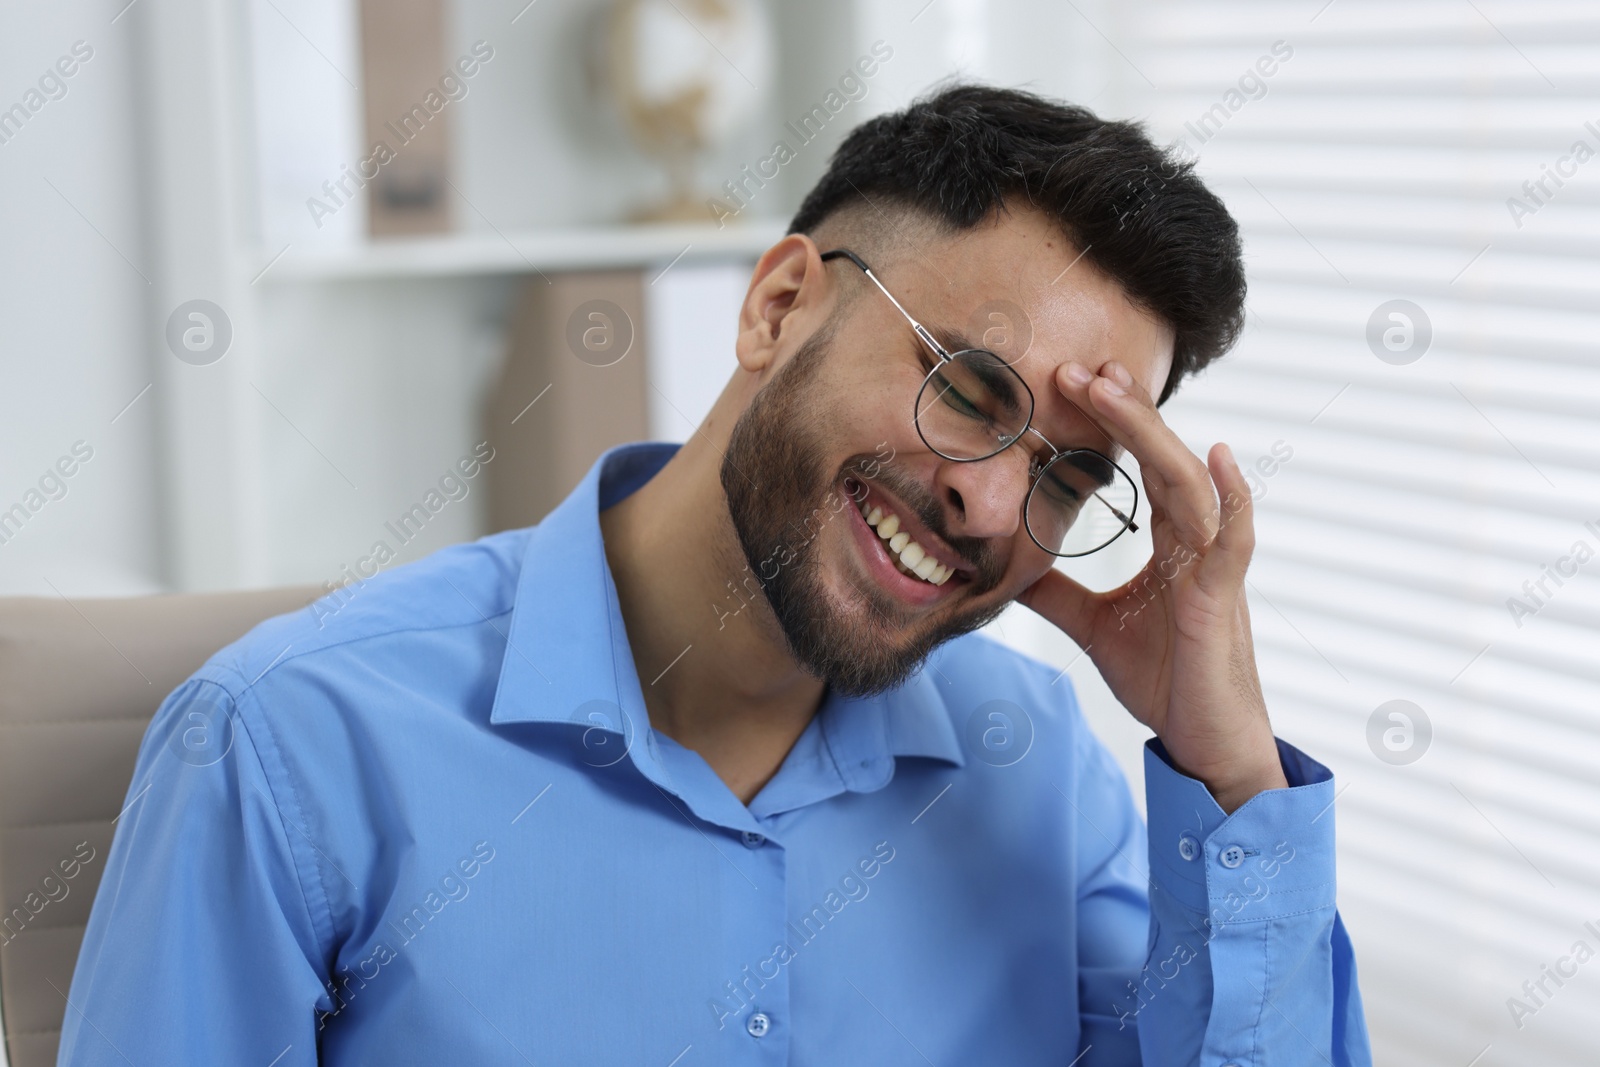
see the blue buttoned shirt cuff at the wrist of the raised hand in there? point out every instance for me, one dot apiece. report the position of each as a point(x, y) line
point(1273, 858)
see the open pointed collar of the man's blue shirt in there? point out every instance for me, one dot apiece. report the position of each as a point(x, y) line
point(567, 650)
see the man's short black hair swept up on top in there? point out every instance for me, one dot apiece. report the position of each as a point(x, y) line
point(1137, 212)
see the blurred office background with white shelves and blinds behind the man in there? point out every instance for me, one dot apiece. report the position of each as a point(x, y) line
point(242, 346)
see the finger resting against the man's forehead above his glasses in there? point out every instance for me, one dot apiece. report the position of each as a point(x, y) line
point(1175, 478)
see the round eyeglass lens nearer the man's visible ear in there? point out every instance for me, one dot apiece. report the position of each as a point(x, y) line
point(974, 406)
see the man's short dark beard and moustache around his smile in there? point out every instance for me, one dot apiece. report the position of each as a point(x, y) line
point(782, 494)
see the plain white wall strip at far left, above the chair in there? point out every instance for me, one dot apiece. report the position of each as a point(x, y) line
point(73, 313)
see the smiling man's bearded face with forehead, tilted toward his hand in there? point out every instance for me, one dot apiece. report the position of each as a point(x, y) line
point(831, 439)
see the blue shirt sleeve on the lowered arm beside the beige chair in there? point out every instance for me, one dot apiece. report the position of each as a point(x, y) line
point(201, 946)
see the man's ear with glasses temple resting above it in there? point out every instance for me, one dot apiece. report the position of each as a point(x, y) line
point(790, 289)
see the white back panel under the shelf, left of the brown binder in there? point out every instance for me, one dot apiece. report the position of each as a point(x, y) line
point(377, 390)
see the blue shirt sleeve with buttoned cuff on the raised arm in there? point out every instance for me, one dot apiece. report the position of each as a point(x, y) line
point(1249, 962)
